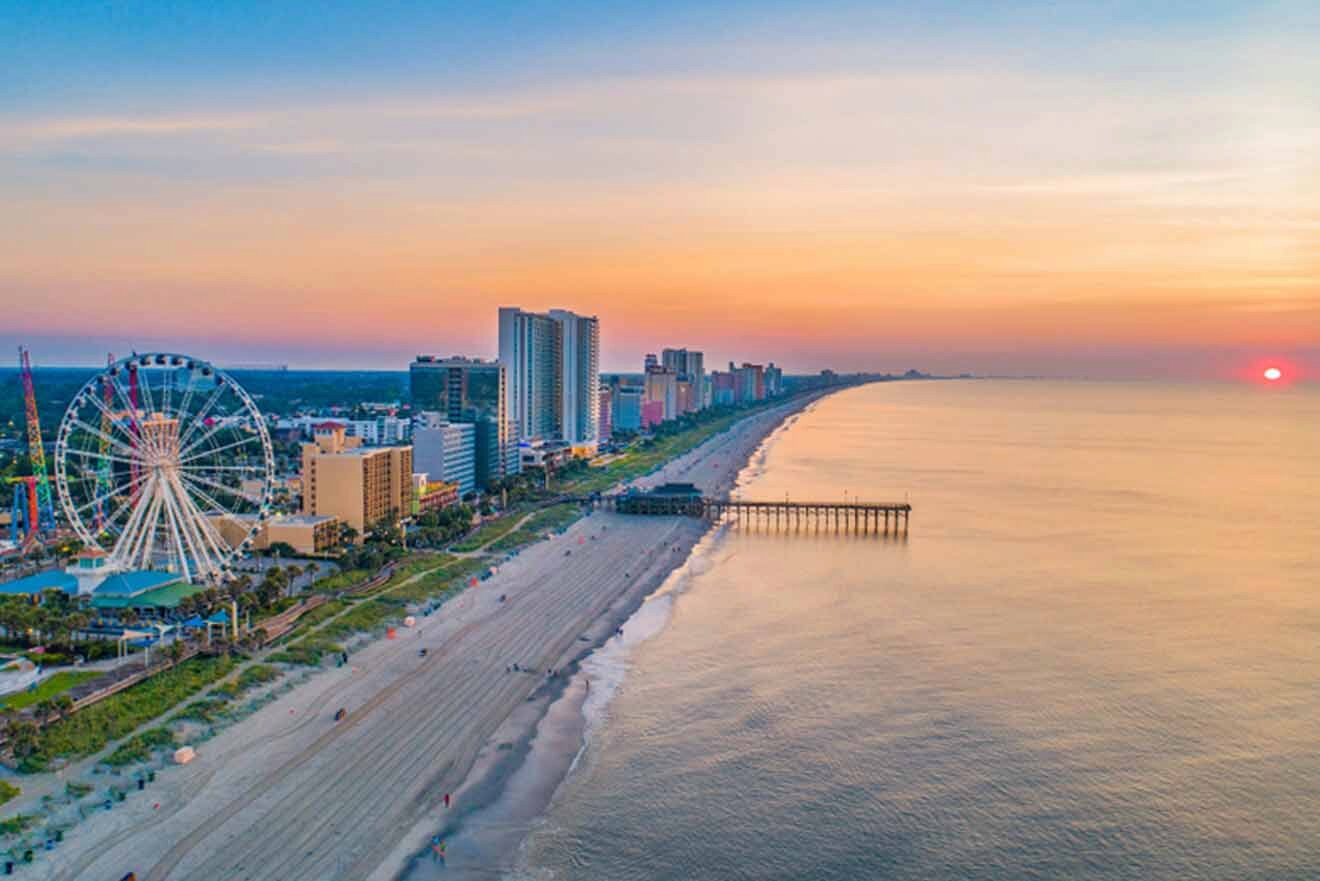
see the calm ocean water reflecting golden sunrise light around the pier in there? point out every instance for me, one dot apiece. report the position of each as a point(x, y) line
point(1096, 656)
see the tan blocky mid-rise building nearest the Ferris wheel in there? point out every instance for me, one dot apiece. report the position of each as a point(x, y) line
point(362, 487)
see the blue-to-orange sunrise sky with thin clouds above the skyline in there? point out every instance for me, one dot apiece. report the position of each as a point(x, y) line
point(1099, 190)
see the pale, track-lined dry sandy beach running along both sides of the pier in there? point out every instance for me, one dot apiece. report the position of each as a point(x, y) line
point(288, 794)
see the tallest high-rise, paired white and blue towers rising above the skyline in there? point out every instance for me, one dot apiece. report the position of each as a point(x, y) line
point(554, 374)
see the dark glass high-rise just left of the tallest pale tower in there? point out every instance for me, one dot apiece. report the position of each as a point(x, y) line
point(469, 390)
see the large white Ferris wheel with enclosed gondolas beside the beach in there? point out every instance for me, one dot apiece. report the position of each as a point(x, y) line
point(166, 463)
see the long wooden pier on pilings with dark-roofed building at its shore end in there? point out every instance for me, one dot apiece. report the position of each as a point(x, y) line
point(857, 517)
